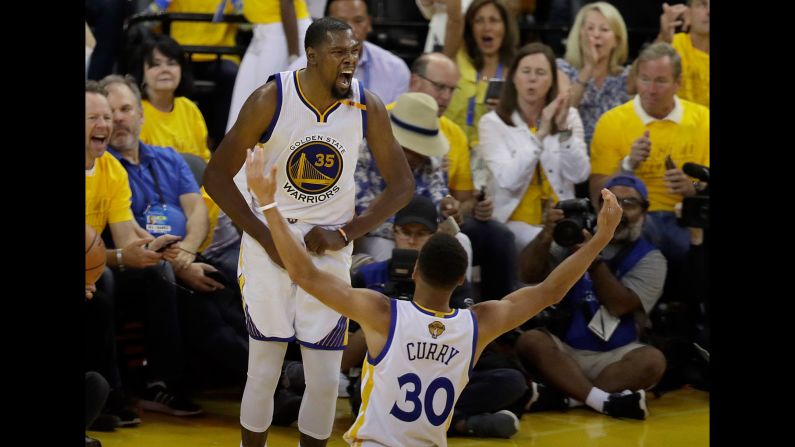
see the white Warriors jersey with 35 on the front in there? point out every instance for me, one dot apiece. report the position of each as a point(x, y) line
point(316, 152)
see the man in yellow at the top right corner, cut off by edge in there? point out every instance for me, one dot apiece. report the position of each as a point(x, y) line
point(692, 46)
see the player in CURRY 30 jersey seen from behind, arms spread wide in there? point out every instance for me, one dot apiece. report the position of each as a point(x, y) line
point(420, 352)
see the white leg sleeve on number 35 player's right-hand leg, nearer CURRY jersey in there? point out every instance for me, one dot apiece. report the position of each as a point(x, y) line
point(322, 374)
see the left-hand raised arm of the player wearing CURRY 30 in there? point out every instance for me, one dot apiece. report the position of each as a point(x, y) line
point(371, 309)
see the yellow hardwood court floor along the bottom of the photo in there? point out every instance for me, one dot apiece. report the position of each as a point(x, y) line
point(678, 418)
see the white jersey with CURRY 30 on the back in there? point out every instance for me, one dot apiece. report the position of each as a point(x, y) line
point(410, 389)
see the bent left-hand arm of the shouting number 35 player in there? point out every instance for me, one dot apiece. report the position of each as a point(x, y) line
point(254, 118)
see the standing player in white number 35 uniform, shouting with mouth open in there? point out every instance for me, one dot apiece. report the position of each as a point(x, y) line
point(310, 124)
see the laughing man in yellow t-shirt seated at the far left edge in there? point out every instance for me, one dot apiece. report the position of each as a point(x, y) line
point(138, 272)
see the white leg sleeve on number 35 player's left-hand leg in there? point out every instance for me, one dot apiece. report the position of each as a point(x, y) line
point(264, 368)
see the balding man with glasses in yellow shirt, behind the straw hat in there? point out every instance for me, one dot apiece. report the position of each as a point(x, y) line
point(437, 75)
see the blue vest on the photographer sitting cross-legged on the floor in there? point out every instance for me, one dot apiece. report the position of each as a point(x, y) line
point(583, 304)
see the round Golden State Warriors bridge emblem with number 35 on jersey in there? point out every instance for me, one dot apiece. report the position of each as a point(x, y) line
point(314, 168)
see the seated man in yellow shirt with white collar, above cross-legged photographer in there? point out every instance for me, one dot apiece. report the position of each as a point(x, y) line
point(652, 136)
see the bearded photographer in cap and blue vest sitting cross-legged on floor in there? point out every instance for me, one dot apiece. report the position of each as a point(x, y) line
point(594, 356)
